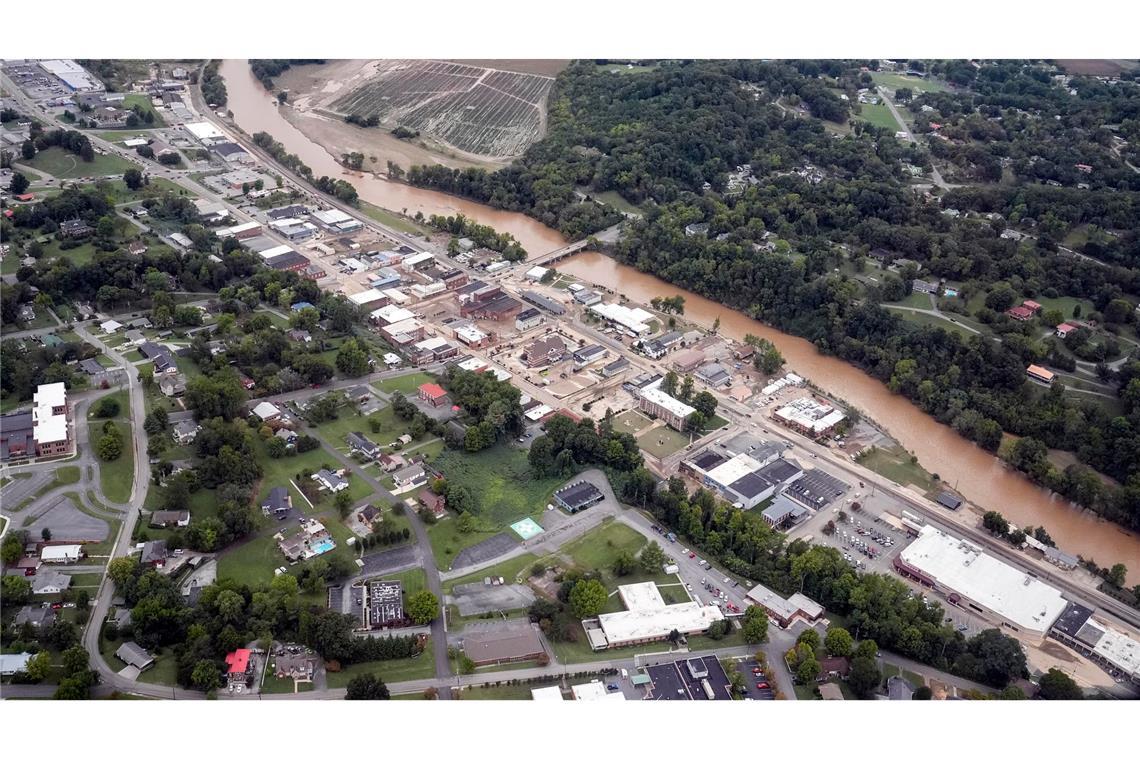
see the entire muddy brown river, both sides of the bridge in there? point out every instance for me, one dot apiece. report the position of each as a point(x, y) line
point(980, 477)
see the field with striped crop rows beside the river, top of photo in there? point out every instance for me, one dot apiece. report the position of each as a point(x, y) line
point(479, 111)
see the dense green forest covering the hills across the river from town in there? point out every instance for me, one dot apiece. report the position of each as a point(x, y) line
point(823, 190)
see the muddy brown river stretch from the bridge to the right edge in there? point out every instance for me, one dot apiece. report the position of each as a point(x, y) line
point(979, 476)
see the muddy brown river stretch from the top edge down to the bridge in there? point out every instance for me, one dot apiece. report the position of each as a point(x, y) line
point(257, 111)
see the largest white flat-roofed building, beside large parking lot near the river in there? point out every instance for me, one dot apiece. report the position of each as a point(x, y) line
point(970, 578)
